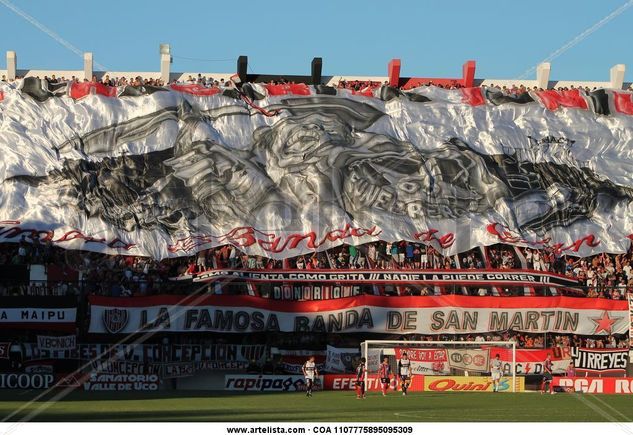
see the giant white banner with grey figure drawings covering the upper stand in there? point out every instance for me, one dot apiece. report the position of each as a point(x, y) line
point(169, 172)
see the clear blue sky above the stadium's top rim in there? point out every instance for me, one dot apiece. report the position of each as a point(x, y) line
point(432, 38)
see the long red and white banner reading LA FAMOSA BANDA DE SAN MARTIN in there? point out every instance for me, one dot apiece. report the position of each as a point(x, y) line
point(449, 314)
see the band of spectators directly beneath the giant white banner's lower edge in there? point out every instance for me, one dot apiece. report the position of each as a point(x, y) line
point(607, 276)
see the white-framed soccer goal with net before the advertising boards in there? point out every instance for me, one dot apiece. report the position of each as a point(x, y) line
point(455, 360)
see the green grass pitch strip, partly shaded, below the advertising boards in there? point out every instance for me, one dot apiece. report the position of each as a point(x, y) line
point(323, 406)
